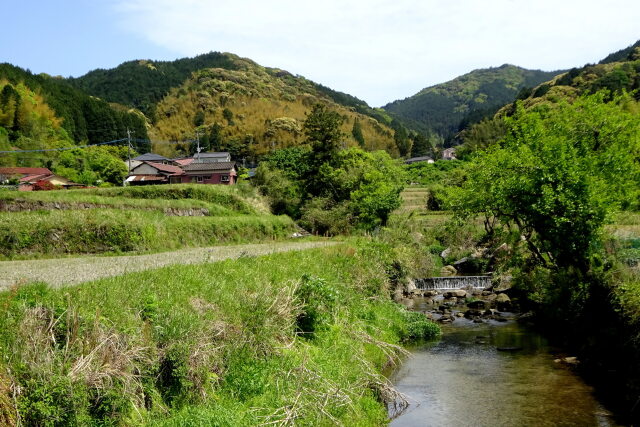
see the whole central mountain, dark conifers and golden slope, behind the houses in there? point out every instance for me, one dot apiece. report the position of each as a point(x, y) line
point(233, 103)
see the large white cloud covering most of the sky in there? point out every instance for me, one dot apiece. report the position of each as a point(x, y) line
point(381, 50)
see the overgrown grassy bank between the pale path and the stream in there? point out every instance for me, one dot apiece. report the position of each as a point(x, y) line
point(213, 344)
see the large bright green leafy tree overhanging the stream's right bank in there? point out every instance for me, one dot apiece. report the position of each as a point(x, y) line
point(556, 176)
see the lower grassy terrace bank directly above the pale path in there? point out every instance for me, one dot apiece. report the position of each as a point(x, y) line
point(113, 230)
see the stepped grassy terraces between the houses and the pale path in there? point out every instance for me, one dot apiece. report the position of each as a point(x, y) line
point(117, 220)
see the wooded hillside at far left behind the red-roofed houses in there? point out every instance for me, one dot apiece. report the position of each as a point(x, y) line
point(43, 118)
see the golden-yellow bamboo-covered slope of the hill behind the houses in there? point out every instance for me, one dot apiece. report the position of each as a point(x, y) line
point(250, 110)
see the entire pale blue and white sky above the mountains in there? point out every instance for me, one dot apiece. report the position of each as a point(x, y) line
point(377, 50)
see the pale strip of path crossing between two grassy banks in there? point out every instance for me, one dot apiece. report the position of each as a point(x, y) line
point(70, 271)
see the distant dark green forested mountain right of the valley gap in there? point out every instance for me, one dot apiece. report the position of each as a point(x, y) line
point(449, 107)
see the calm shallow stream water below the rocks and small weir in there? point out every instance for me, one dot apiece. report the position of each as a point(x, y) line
point(493, 374)
